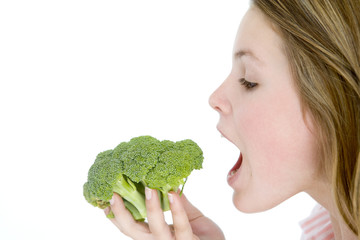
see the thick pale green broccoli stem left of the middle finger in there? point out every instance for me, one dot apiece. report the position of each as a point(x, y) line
point(128, 190)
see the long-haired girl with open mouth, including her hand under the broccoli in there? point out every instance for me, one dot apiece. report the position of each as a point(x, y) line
point(291, 104)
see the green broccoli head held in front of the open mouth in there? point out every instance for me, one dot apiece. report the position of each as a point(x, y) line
point(142, 162)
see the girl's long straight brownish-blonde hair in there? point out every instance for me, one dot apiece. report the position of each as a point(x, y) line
point(322, 41)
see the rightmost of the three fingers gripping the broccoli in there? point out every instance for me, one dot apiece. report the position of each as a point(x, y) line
point(182, 227)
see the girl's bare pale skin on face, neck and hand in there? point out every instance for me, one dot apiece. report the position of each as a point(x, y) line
point(280, 156)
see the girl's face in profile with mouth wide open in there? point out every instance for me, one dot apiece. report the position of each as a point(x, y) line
point(260, 112)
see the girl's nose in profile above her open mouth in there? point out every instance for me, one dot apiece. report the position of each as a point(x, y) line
point(218, 100)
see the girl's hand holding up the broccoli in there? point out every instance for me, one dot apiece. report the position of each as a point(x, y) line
point(188, 222)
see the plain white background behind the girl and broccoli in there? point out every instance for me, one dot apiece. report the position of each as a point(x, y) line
point(78, 77)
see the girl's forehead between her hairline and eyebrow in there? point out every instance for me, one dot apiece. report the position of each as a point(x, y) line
point(256, 38)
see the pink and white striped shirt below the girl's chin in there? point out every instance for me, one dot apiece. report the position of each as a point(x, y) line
point(317, 226)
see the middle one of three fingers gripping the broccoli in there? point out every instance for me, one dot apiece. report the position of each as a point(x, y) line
point(155, 216)
